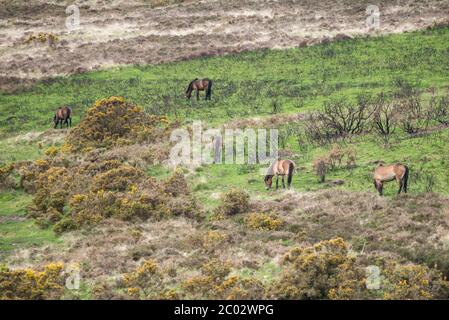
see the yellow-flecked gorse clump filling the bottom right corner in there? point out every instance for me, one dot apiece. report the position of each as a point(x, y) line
point(329, 270)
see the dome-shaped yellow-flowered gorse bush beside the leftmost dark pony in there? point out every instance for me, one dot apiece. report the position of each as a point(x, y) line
point(115, 121)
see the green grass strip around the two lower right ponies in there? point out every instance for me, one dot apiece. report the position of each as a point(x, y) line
point(427, 157)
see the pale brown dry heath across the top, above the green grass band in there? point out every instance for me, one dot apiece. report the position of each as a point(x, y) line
point(128, 32)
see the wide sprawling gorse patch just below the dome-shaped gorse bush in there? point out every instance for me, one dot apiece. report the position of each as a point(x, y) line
point(86, 193)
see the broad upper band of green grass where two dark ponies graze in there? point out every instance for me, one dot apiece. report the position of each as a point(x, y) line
point(245, 85)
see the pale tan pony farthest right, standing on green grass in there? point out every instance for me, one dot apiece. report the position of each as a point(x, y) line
point(398, 172)
